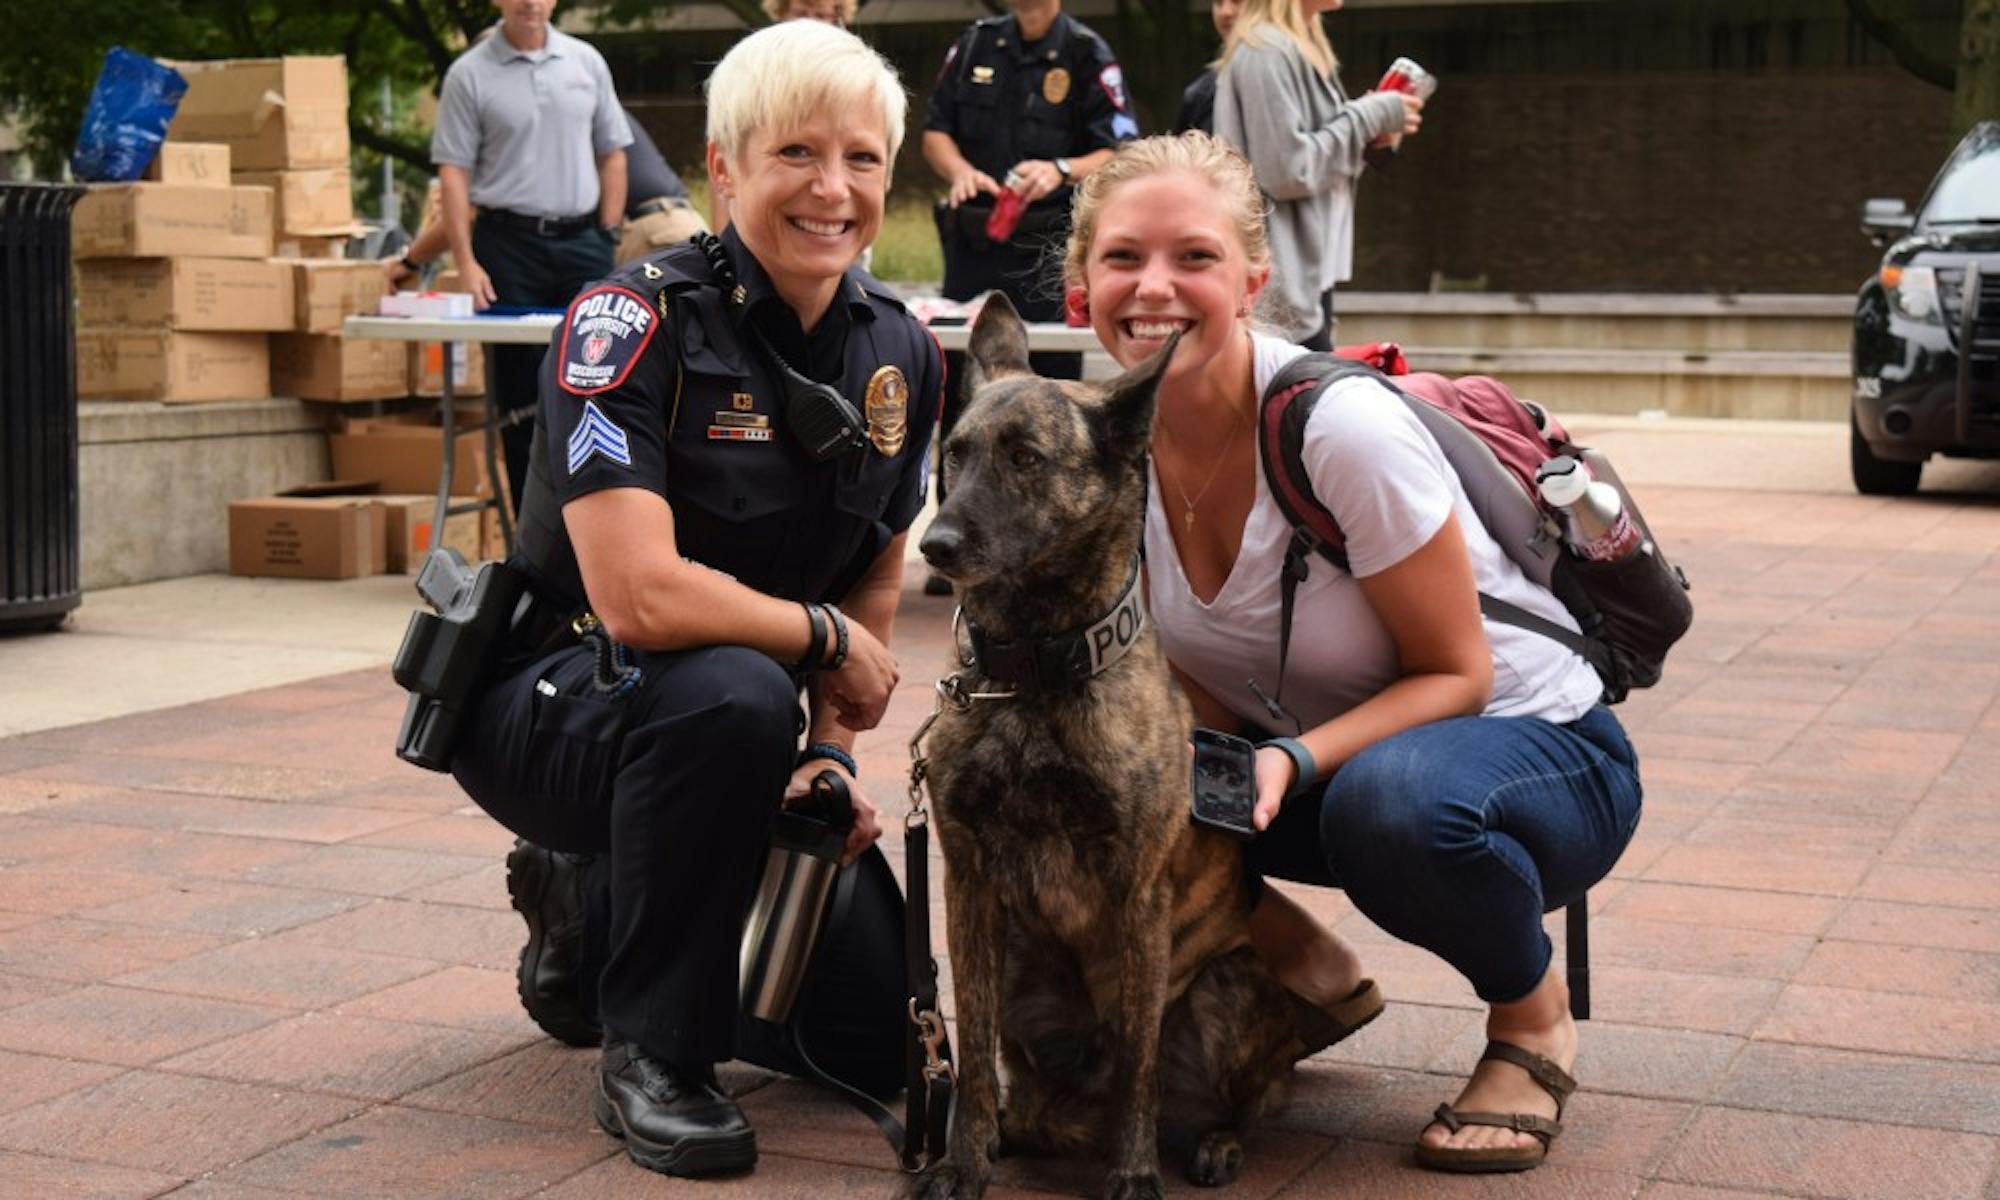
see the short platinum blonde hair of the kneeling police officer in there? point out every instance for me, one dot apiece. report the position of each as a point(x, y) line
point(783, 75)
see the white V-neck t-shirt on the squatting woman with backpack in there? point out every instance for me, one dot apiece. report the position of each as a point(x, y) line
point(1383, 477)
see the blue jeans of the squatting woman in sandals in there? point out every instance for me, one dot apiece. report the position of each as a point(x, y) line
point(1459, 835)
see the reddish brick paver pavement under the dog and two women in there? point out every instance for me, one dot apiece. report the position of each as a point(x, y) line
point(245, 953)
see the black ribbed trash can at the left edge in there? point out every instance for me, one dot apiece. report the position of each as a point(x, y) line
point(39, 525)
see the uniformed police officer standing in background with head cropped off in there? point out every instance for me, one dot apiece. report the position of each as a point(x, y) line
point(1039, 99)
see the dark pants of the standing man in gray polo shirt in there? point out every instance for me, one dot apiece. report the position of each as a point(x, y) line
point(537, 273)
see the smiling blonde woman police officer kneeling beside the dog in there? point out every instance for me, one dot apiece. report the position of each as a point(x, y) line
point(709, 501)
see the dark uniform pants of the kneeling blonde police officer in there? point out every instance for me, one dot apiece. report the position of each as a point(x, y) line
point(675, 789)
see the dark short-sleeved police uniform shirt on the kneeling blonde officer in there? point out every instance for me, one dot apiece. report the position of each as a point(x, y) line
point(655, 383)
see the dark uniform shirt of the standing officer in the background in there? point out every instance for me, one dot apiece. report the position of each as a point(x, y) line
point(1005, 101)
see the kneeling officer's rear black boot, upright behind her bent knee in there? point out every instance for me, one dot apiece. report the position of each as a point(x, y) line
point(549, 893)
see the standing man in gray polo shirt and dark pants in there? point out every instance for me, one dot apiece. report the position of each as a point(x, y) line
point(531, 139)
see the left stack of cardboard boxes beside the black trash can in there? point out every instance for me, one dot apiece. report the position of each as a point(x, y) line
point(175, 287)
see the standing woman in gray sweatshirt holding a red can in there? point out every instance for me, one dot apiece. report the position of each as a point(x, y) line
point(1279, 101)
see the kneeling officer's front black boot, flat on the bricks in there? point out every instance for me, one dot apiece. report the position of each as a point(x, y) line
point(673, 1119)
